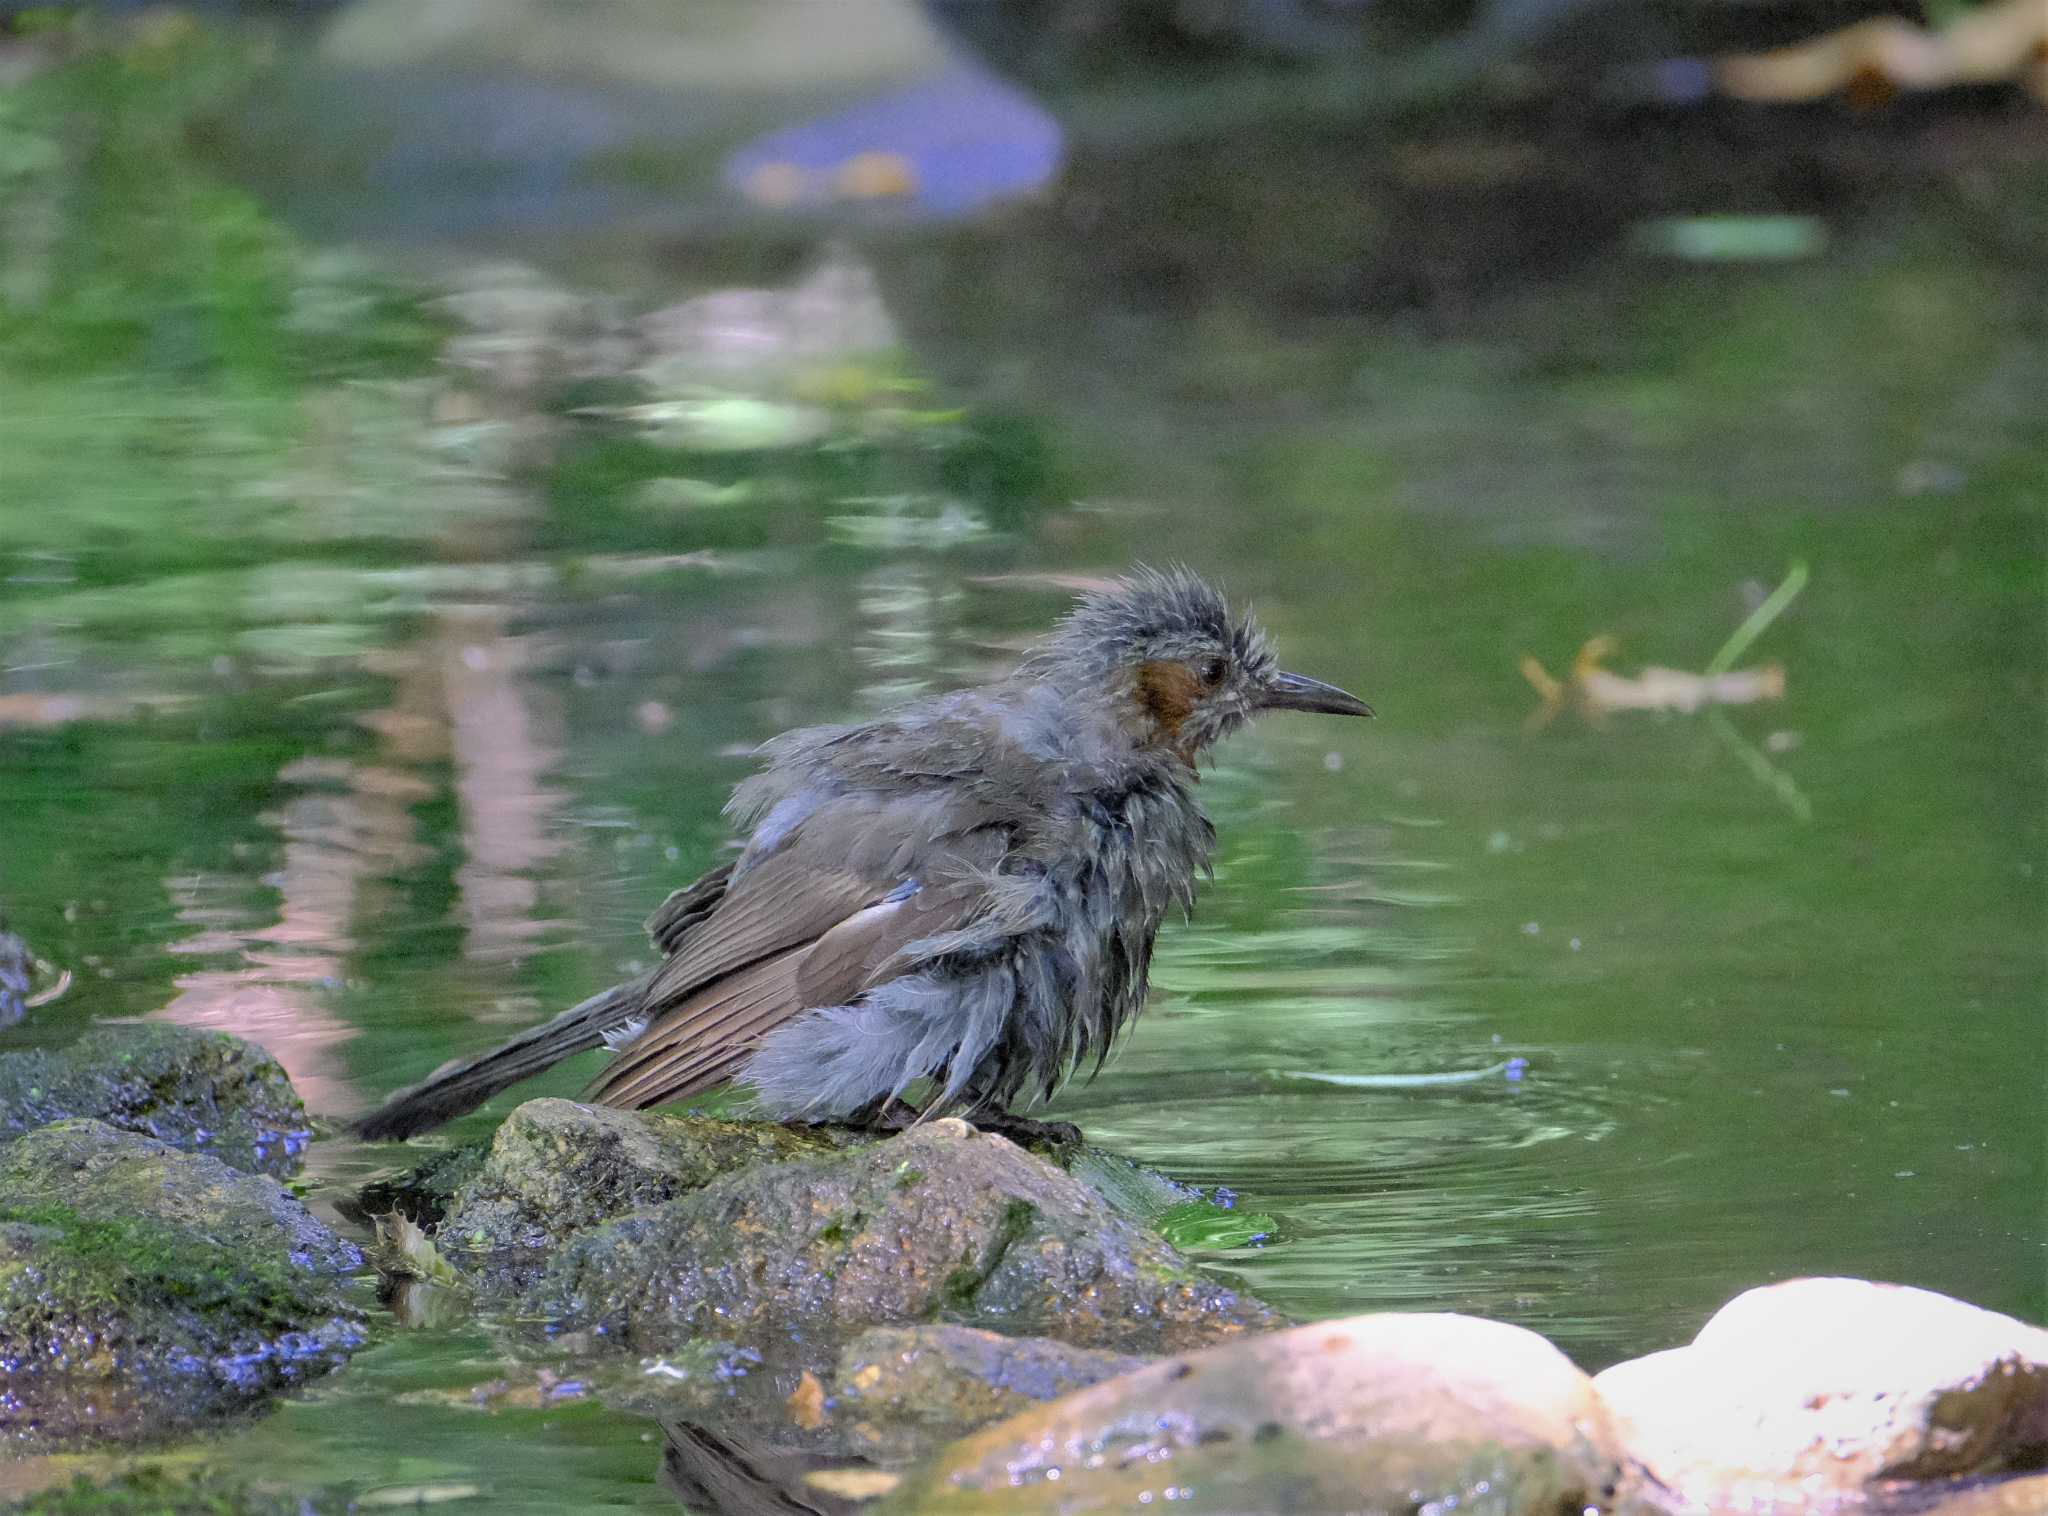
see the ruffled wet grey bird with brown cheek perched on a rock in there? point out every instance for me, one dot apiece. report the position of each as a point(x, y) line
point(964, 892)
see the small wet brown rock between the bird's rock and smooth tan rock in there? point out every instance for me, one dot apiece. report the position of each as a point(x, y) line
point(902, 1390)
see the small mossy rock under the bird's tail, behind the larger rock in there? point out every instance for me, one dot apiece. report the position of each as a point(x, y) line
point(558, 1167)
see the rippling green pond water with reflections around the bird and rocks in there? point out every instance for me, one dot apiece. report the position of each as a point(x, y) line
point(396, 745)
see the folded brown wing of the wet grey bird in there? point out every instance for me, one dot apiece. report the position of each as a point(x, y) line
point(796, 931)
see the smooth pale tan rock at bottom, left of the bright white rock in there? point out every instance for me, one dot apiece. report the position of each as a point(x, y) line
point(1377, 1413)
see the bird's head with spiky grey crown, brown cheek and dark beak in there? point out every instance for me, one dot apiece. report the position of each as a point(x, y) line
point(1164, 648)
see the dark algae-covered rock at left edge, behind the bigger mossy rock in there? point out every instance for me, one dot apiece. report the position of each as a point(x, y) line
point(196, 1091)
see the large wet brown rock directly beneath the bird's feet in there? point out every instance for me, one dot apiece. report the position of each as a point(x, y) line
point(935, 1224)
